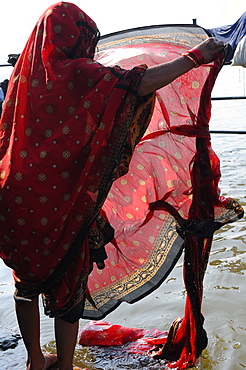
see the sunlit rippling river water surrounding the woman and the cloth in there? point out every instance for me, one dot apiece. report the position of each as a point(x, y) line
point(224, 285)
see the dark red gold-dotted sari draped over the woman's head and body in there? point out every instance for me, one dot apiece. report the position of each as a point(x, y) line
point(63, 131)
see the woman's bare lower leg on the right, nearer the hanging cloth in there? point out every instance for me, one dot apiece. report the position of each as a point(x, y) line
point(66, 338)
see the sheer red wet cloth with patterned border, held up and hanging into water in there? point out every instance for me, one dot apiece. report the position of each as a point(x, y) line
point(169, 201)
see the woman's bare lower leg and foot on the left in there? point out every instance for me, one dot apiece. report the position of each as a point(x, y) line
point(29, 323)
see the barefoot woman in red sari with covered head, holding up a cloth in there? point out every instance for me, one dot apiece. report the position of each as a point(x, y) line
point(66, 135)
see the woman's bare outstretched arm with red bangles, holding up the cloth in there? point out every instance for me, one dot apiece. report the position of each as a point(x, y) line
point(161, 75)
